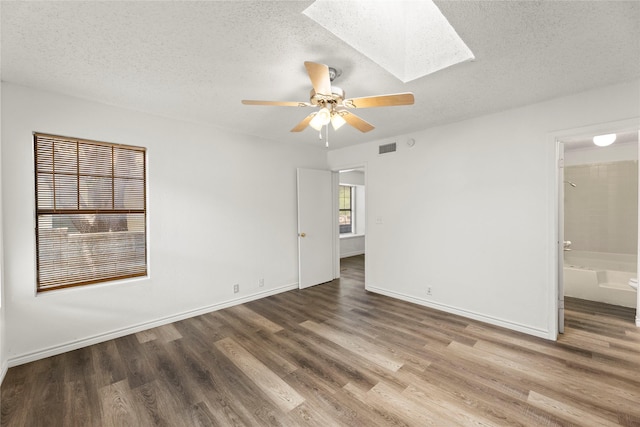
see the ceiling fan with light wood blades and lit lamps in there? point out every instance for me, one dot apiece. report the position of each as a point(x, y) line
point(334, 107)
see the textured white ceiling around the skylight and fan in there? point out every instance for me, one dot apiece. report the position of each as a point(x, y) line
point(197, 60)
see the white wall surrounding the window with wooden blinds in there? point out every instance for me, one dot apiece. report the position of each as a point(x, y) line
point(221, 210)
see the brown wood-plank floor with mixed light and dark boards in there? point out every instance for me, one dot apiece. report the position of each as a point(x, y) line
point(335, 355)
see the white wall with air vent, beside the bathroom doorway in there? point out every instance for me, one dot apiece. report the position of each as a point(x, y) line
point(470, 210)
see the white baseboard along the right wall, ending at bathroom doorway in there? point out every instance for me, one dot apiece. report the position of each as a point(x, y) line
point(542, 333)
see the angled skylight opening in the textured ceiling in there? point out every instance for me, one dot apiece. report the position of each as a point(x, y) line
point(410, 39)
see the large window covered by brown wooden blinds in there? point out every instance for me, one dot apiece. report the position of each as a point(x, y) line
point(90, 212)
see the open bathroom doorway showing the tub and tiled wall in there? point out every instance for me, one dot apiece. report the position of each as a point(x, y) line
point(598, 218)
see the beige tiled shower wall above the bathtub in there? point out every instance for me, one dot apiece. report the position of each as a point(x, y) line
point(601, 212)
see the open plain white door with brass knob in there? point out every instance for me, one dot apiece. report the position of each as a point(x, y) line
point(315, 227)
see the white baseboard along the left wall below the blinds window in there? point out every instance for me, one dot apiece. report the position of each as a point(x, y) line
point(74, 345)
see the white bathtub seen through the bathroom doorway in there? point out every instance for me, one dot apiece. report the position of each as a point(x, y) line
point(600, 276)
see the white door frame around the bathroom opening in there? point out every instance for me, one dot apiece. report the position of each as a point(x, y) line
point(554, 139)
